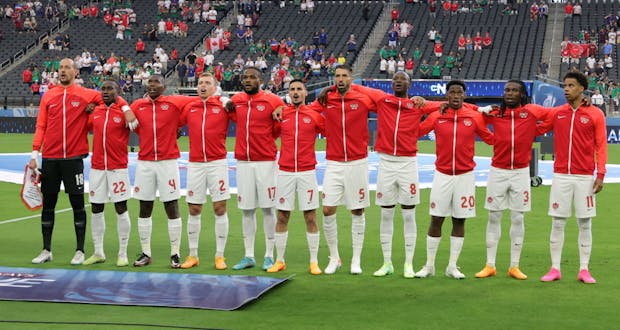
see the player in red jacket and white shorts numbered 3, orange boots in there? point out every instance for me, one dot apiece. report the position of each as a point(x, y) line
point(508, 187)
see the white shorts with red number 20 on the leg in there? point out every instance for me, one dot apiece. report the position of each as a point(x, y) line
point(453, 195)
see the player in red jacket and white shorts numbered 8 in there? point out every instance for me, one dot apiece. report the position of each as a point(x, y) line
point(398, 120)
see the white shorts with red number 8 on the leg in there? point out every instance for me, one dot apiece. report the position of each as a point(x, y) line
point(397, 181)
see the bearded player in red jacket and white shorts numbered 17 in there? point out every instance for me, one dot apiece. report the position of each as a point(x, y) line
point(255, 152)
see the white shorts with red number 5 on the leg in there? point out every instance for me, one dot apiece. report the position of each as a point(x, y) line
point(346, 183)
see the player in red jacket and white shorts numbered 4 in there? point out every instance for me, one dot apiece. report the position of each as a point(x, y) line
point(157, 168)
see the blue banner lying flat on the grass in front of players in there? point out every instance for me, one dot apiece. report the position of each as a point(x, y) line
point(219, 292)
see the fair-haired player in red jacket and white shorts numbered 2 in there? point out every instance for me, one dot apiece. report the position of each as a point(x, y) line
point(207, 124)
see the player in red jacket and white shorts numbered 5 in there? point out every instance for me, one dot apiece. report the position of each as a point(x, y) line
point(346, 176)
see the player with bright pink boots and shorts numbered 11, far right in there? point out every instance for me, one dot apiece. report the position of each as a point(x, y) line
point(580, 139)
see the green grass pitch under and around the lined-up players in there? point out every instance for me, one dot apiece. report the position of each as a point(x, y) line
point(341, 300)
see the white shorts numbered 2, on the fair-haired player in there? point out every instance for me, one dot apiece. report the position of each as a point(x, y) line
point(210, 175)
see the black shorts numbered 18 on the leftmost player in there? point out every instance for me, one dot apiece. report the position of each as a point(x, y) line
point(69, 171)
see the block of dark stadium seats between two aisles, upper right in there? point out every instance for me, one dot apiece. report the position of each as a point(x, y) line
point(515, 54)
